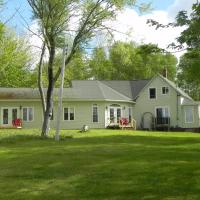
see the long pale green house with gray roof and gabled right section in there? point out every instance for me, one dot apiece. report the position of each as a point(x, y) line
point(154, 103)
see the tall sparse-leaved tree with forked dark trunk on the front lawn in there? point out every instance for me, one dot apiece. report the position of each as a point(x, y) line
point(79, 19)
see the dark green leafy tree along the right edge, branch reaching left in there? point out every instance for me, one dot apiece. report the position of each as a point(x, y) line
point(189, 39)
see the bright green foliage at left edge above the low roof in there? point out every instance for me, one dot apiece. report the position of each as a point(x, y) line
point(14, 59)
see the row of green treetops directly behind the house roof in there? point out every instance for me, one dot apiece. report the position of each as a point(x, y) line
point(126, 61)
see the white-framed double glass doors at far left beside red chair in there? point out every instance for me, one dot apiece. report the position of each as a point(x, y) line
point(8, 115)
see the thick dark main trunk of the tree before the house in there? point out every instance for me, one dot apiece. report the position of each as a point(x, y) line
point(49, 98)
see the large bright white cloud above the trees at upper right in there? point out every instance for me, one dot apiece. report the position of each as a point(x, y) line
point(133, 23)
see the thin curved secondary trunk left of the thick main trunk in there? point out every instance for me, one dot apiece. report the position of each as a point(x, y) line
point(40, 85)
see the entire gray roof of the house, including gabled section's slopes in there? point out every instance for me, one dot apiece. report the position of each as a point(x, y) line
point(126, 91)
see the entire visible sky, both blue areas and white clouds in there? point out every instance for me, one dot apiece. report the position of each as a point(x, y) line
point(128, 21)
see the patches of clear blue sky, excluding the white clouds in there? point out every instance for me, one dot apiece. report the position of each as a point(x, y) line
point(22, 6)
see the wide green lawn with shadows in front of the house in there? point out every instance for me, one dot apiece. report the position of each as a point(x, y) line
point(99, 165)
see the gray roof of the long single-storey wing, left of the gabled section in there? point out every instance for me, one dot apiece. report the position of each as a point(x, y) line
point(80, 90)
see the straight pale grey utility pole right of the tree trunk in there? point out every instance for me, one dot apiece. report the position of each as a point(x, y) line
point(57, 136)
